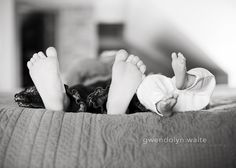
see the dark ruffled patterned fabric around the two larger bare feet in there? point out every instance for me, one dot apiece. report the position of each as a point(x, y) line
point(90, 98)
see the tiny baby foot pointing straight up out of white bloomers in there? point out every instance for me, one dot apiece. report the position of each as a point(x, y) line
point(180, 70)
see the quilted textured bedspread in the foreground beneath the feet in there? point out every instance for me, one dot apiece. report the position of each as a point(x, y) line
point(43, 138)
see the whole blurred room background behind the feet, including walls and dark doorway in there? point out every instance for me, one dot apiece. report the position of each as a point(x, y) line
point(204, 31)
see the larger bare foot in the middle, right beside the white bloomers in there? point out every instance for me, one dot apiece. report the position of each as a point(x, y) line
point(127, 74)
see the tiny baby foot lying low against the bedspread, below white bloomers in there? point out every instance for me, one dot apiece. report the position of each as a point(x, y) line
point(165, 106)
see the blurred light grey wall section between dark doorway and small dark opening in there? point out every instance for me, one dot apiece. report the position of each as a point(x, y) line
point(76, 35)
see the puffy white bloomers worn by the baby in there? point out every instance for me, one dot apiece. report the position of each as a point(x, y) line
point(196, 97)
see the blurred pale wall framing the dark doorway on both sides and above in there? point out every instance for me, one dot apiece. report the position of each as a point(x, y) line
point(75, 31)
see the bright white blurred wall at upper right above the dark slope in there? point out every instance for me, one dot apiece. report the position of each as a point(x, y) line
point(206, 25)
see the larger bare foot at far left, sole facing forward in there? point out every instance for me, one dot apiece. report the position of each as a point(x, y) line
point(45, 74)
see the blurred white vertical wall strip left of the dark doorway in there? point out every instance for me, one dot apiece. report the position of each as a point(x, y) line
point(9, 58)
